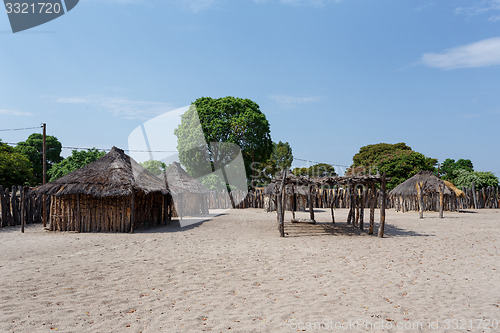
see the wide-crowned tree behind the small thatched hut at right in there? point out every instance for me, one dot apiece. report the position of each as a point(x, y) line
point(398, 161)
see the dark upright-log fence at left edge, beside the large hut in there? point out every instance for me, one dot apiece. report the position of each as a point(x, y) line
point(11, 207)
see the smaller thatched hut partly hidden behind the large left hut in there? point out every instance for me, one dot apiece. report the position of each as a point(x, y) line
point(189, 195)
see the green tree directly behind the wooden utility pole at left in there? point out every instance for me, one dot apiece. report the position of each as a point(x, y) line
point(32, 148)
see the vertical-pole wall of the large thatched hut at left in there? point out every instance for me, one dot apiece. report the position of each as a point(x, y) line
point(85, 213)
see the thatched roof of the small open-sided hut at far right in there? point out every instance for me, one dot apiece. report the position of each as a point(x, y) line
point(431, 184)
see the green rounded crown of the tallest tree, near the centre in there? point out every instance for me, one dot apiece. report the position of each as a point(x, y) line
point(223, 120)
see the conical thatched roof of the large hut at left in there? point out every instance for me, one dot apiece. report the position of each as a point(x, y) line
point(113, 175)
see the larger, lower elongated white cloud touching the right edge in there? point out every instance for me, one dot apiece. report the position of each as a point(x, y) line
point(484, 53)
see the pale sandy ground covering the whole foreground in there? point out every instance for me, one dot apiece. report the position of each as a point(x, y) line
point(234, 273)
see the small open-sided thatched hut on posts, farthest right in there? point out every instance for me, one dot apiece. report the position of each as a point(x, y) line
point(425, 191)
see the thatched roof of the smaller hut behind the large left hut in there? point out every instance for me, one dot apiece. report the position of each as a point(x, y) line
point(179, 181)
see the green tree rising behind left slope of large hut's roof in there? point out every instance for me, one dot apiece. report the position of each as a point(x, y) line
point(77, 160)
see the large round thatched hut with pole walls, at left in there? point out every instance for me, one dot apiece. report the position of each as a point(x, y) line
point(114, 193)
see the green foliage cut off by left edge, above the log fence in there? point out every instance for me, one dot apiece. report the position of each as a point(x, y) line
point(15, 168)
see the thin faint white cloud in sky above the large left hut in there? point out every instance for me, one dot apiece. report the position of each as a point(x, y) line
point(120, 107)
